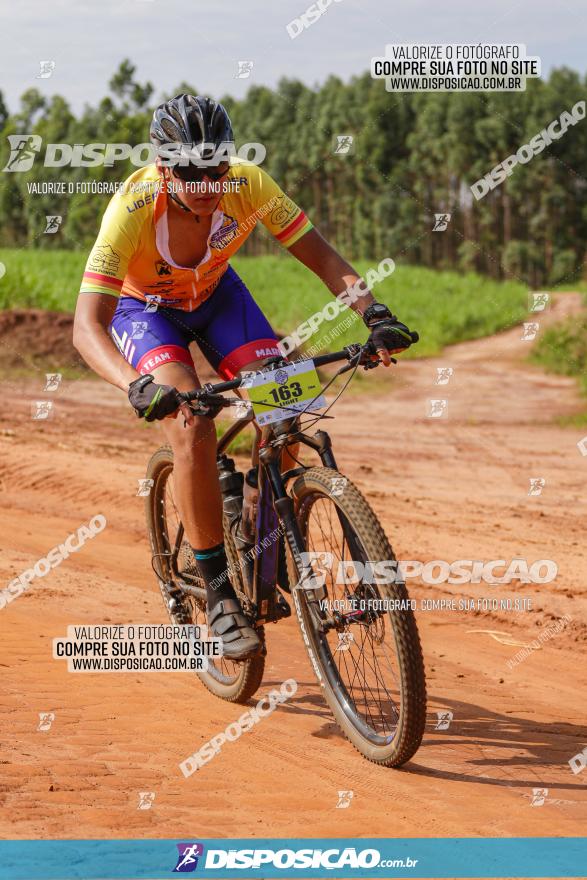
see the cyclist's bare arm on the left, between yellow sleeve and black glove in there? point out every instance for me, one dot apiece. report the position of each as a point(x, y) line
point(93, 314)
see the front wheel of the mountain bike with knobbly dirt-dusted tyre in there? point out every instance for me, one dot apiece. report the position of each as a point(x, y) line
point(369, 663)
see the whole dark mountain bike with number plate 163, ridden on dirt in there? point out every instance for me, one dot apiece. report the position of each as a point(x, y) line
point(311, 523)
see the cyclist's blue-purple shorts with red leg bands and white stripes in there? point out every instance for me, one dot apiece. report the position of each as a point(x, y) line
point(229, 327)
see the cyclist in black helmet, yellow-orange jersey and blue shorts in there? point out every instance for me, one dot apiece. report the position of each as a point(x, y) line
point(164, 248)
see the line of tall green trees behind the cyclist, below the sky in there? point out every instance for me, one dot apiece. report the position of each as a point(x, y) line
point(412, 157)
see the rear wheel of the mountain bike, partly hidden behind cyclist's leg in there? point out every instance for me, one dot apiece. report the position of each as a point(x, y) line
point(174, 565)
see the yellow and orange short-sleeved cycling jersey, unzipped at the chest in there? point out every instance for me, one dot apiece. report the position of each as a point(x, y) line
point(131, 254)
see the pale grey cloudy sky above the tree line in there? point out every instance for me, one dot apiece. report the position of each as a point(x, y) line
point(171, 41)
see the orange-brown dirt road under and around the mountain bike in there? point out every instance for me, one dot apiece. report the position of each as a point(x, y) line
point(448, 488)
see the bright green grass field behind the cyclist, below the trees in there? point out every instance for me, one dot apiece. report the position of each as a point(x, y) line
point(445, 307)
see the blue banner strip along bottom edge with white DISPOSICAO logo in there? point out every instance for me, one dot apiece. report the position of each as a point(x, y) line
point(465, 857)
